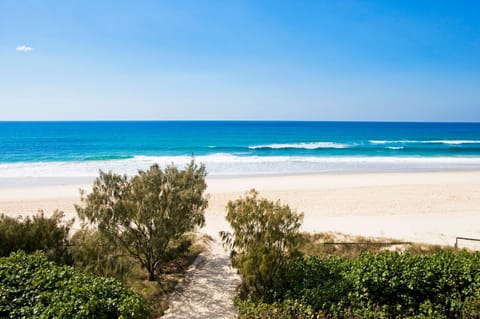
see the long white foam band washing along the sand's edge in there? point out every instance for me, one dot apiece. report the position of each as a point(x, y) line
point(227, 164)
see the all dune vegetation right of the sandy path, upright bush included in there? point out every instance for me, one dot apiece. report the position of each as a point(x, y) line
point(287, 274)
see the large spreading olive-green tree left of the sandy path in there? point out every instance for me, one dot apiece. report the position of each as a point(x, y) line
point(148, 214)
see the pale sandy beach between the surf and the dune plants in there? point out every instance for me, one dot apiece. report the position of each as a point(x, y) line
point(432, 207)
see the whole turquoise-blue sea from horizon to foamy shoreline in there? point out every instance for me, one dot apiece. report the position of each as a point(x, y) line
point(78, 150)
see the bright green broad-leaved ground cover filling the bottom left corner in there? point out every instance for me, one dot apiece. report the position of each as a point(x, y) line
point(33, 287)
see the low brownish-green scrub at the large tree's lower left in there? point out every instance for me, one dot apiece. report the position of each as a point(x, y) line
point(94, 254)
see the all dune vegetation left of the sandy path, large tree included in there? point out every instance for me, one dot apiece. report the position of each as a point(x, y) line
point(135, 243)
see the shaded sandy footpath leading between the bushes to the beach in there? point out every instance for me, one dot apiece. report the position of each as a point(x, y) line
point(208, 288)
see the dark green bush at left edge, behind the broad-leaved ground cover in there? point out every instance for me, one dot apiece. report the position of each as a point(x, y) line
point(36, 233)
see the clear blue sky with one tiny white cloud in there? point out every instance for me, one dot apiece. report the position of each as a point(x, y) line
point(320, 60)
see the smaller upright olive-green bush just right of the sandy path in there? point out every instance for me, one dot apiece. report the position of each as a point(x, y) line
point(265, 234)
